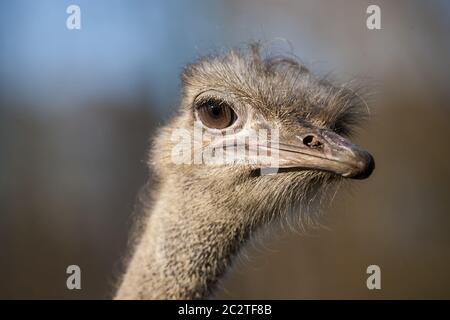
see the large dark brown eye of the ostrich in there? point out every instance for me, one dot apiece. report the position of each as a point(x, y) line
point(216, 114)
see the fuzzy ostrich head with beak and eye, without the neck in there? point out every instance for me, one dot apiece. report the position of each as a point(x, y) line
point(232, 95)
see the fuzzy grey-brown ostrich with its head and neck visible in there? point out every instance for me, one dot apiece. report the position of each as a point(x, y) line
point(202, 215)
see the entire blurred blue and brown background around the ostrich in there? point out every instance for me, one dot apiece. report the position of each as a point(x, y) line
point(78, 107)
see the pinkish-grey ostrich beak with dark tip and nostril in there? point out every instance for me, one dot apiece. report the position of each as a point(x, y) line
point(322, 149)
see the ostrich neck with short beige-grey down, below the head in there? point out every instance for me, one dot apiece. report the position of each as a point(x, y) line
point(184, 250)
